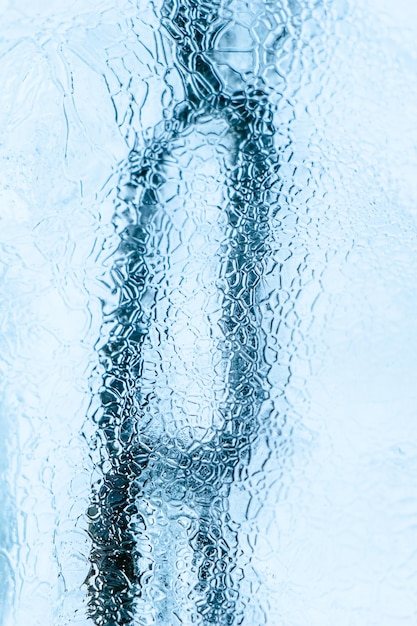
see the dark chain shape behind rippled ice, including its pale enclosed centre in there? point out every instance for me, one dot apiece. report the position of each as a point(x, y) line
point(185, 380)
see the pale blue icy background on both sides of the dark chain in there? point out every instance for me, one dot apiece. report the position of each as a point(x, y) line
point(330, 518)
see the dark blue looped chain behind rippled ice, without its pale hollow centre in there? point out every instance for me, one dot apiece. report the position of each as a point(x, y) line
point(138, 461)
